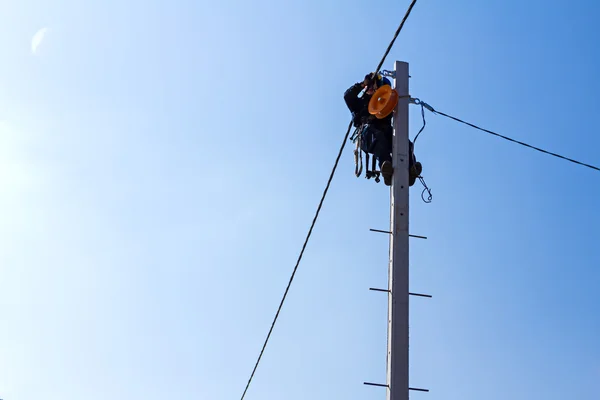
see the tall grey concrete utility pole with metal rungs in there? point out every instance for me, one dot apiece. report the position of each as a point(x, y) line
point(397, 356)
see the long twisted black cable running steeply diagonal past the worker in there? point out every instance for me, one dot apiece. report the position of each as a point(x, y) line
point(321, 204)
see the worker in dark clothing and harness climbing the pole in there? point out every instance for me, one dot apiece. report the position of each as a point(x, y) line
point(376, 134)
